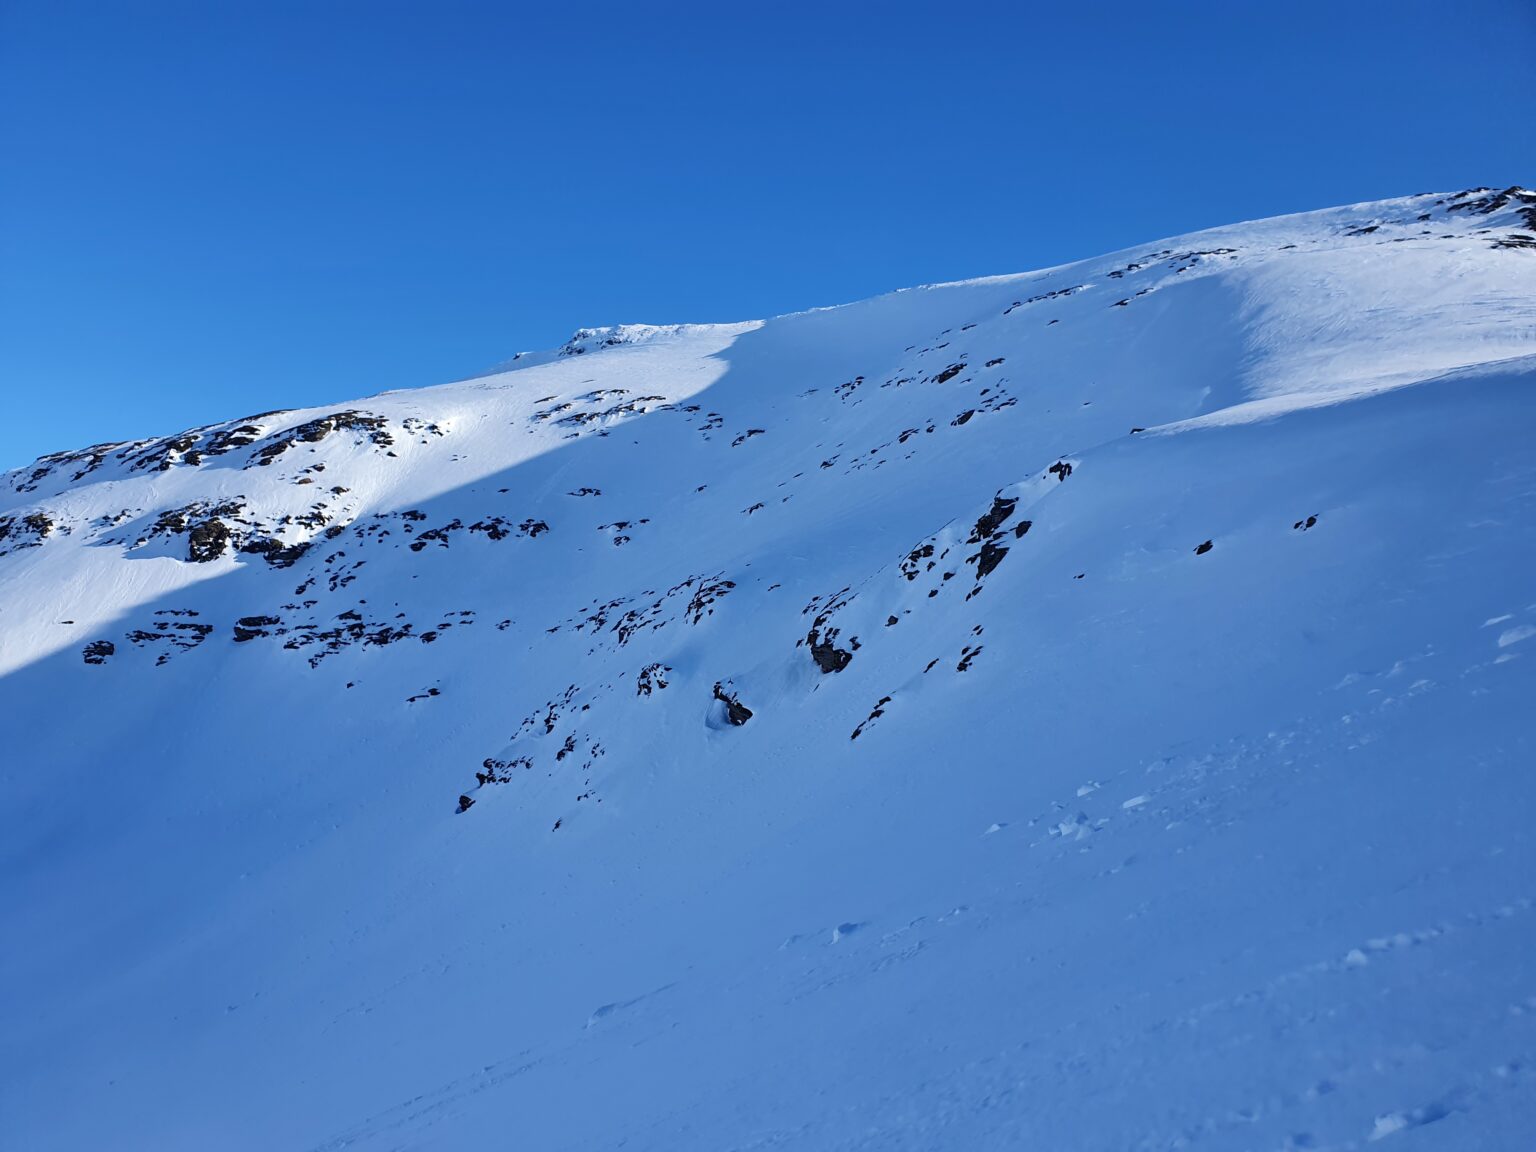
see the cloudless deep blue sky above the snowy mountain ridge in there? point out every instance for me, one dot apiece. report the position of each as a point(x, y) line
point(223, 207)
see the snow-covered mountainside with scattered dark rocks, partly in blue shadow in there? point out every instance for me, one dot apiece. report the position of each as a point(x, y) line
point(1102, 789)
